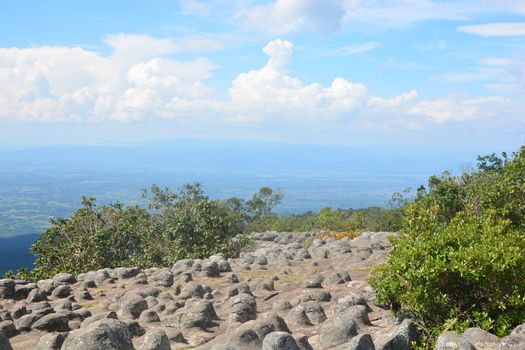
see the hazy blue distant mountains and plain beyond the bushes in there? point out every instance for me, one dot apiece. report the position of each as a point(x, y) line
point(39, 183)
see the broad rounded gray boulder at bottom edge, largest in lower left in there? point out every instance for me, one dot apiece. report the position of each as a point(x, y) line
point(107, 334)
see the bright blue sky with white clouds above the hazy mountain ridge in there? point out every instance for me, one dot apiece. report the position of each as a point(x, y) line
point(352, 72)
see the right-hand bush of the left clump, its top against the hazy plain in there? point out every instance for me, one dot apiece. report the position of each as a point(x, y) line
point(187, 224)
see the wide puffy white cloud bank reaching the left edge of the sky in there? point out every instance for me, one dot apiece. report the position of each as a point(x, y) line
point(60, 83)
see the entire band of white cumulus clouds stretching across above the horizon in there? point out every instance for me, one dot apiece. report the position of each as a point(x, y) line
point(53, 84)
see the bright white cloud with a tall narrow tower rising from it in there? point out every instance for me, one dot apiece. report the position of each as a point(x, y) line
point(271, 92)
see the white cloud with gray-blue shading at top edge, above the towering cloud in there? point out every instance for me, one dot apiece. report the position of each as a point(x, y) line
point(284, 16)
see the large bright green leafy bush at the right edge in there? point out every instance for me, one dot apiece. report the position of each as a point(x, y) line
point(459, 259)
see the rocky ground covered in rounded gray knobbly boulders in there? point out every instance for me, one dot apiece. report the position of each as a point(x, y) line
point(292, 291)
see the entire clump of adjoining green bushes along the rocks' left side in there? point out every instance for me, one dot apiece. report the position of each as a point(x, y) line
point(185, 224)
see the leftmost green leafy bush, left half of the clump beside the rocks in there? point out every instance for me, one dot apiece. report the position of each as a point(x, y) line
point(92, 238)
